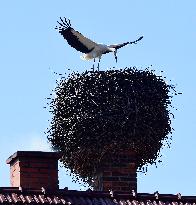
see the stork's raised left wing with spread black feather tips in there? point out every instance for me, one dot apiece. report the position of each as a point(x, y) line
point(74, 38)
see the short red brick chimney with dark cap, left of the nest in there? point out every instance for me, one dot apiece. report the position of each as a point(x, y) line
point(34, 169)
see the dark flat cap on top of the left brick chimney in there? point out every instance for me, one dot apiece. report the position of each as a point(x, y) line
point(36, 154)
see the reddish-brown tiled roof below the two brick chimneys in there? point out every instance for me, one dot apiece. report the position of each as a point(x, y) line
point(13, 195)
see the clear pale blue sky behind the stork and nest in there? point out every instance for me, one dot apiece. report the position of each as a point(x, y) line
point(31, 49)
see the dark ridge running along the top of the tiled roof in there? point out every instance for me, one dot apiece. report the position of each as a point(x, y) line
point(24, 192)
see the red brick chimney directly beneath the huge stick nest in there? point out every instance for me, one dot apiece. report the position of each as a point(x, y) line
point(117, 173)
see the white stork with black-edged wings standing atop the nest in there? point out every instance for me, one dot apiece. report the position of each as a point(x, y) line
point(90, 49)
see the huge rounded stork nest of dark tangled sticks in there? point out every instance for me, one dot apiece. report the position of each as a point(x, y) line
point(96, 113)
